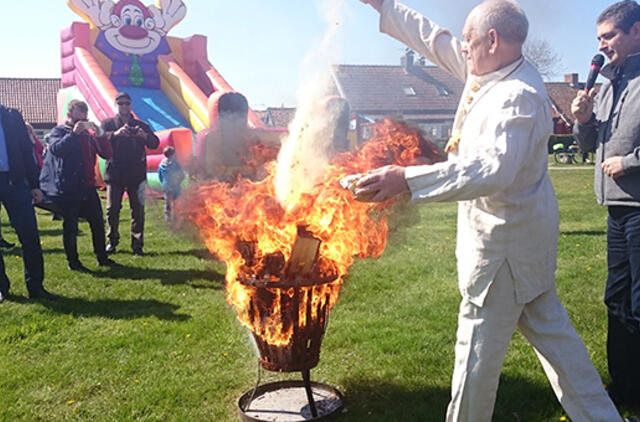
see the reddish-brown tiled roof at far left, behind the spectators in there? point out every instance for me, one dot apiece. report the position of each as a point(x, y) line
point(34, 97)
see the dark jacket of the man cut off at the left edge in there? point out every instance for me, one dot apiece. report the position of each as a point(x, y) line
point(22, 166)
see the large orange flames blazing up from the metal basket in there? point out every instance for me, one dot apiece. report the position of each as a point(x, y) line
point(253, 233)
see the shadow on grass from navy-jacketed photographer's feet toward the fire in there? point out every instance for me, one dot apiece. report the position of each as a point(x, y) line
point(166, 276)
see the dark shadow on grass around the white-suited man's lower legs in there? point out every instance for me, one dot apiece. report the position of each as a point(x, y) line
point(373, 401)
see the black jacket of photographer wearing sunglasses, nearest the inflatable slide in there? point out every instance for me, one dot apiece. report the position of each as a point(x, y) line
point(128, 166)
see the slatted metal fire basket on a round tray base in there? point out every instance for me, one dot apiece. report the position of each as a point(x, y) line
point(295, 286)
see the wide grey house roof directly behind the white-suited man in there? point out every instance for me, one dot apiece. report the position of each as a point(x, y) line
point(379, 90)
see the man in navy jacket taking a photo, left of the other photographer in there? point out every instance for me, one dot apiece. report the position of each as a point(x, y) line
point(68, 179)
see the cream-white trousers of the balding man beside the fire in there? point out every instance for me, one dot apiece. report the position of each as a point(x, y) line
point(483, 338)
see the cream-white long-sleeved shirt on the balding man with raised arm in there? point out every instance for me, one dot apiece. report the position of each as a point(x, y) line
point(507, 207)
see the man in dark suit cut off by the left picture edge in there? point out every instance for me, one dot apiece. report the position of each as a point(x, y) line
point(18, 190)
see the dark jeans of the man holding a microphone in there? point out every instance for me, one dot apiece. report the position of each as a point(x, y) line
point(622, 297)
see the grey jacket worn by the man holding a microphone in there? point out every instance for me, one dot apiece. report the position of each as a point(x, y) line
point(614, 130)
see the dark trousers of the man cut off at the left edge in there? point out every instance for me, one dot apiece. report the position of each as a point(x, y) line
point(19, 206)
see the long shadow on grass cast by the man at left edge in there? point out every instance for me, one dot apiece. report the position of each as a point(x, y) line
point(111, 308)
